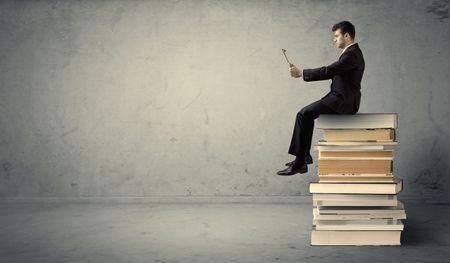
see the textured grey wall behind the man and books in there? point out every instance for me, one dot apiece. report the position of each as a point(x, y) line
point(143, 98)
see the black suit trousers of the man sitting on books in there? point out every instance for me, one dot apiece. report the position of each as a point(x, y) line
point(304, 126)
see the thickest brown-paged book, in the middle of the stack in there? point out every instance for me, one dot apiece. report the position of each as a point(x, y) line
point(354, 166)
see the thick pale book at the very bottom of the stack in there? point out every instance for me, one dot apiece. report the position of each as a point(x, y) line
point(355, 238)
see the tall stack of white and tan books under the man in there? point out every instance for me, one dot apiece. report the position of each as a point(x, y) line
point(355, 200)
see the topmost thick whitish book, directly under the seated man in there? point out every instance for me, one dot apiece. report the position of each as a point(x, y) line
point(357, 121)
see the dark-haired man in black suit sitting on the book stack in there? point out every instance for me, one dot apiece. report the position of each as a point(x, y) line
point(343, 98)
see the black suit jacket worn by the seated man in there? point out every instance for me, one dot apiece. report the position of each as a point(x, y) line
point(346, 74)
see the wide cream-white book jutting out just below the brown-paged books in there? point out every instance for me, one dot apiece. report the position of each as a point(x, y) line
point(356, 188)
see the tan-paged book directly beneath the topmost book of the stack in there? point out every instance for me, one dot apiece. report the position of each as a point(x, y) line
point(375, 135)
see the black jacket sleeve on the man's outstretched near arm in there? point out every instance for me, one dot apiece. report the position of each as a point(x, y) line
point(346, 63)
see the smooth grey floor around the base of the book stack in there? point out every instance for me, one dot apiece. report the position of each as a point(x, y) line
point(210, 233)
